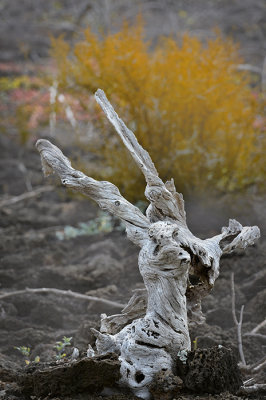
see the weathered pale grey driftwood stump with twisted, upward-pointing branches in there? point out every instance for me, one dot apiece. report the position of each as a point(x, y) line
point(153, 329)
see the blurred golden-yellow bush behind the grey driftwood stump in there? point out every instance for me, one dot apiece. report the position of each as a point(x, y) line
point(186, 102)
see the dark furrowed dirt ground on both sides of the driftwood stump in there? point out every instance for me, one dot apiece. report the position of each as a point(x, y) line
point(102, 265)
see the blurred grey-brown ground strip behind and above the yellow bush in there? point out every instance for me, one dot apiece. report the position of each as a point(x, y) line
point(26, 25)
